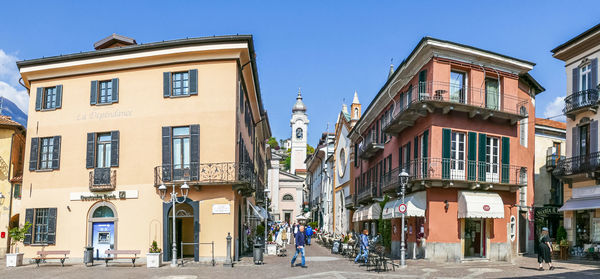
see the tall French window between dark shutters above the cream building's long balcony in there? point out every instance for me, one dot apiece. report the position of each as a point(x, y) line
point(181, 151)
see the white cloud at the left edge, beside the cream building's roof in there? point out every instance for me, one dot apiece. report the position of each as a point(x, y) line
point(9, 81)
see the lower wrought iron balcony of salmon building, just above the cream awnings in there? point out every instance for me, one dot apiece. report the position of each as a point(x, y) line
point(450, 170)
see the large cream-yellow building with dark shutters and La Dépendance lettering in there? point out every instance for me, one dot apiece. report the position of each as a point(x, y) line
point(109, 126)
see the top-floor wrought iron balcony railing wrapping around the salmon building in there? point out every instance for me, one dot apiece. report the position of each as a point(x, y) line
point(428, 96)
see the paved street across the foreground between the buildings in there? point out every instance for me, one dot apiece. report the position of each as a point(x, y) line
point(321, 264)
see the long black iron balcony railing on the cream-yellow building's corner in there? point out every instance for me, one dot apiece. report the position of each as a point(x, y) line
point(207, 174)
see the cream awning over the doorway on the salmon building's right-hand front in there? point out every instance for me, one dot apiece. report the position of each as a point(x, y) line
point(480, 205)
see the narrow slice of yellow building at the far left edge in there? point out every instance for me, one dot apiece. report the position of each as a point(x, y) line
point(12, 143)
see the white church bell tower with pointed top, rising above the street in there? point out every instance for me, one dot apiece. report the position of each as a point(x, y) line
point(299, 124)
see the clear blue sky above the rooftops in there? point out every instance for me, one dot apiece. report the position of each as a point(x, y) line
point(328, 48)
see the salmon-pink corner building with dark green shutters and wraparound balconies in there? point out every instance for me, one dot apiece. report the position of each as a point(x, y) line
point(460, 121)
